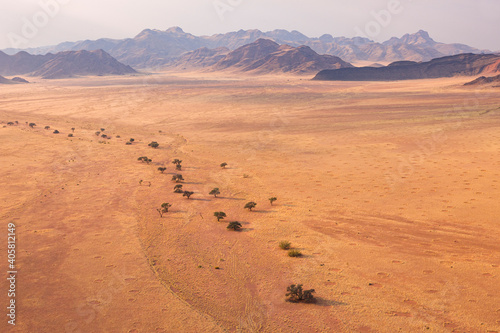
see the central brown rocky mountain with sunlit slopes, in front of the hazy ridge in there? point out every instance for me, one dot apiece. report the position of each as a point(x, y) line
point(261, 57)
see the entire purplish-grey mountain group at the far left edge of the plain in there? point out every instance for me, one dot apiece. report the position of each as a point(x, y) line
point(63, 64)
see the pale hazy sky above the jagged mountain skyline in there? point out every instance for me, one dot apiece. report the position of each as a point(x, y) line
point(31, 23)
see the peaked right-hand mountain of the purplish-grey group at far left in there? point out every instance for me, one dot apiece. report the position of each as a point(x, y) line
point(76, 63)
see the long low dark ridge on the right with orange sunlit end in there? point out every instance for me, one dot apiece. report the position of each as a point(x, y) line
point(463, 64)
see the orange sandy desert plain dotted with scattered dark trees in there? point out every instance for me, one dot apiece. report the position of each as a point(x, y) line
point(390, 190)
